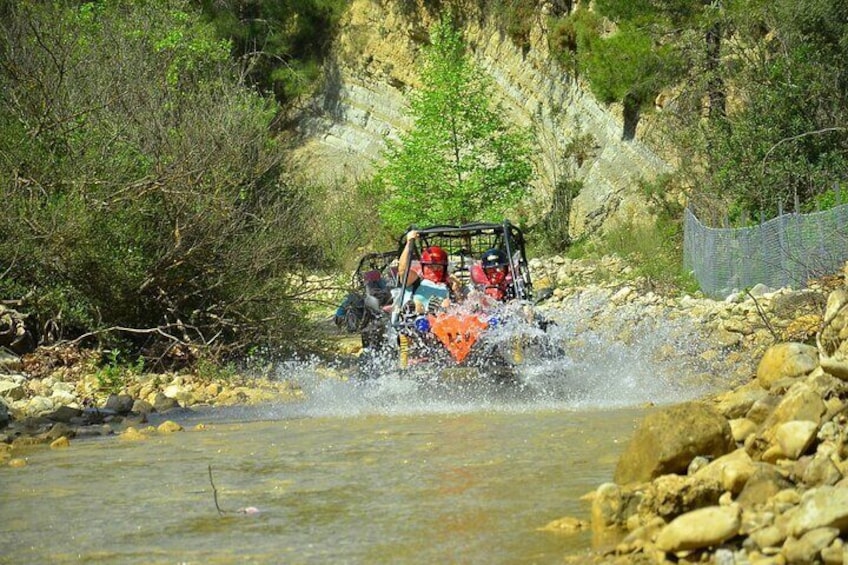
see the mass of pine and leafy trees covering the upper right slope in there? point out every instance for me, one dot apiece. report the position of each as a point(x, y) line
point(755, 93)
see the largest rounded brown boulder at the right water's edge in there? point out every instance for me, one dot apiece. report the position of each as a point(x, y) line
point(668, 440)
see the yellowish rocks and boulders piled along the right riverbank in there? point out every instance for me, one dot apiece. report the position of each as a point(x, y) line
point(755, 474)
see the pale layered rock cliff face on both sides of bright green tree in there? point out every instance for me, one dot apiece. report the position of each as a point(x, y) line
point(374, 65)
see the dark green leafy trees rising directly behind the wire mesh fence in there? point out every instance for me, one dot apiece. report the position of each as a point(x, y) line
point(788, 140)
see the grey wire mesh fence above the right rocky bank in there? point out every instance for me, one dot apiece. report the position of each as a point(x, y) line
point(786, 251)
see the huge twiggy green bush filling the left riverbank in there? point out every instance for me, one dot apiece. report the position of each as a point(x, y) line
point(141, 187)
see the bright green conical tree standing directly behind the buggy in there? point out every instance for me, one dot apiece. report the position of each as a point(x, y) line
point(460, 161)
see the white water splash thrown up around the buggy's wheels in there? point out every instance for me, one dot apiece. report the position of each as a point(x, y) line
point(625, 360)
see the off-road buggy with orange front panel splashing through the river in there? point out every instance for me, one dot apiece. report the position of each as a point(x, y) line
point(475, 334)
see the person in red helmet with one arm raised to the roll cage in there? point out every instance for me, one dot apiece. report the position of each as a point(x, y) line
point(432, 283)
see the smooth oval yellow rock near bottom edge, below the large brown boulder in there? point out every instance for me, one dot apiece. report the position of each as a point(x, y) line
point(705, 527)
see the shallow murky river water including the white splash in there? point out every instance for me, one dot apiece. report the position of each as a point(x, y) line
point(381, 472)
